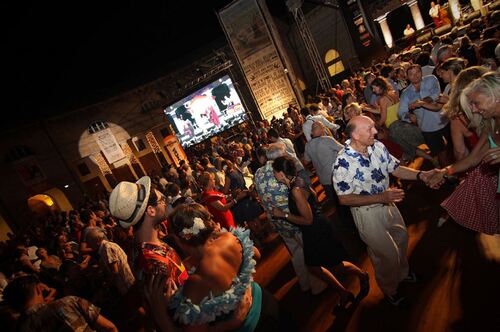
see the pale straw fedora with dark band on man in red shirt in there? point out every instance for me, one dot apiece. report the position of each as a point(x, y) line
point(128, 201)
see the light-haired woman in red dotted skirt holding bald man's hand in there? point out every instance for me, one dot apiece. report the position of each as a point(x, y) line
point(473, 204)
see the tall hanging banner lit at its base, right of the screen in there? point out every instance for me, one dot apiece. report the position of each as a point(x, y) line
point(251, 40)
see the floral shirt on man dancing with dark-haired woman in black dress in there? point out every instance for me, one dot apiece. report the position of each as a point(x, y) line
point(272, 193)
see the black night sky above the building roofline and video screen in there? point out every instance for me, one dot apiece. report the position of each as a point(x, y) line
point(62, 55)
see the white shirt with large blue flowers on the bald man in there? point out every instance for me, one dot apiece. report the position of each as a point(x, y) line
point(355, 174)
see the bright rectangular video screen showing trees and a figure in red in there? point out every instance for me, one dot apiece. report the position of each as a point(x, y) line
point(206, 112)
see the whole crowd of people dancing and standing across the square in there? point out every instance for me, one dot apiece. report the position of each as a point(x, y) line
point(177, 250)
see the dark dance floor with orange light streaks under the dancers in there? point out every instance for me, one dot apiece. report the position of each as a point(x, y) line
point(459, 288)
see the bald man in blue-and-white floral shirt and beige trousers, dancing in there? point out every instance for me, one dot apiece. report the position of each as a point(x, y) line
point(361, 180)
